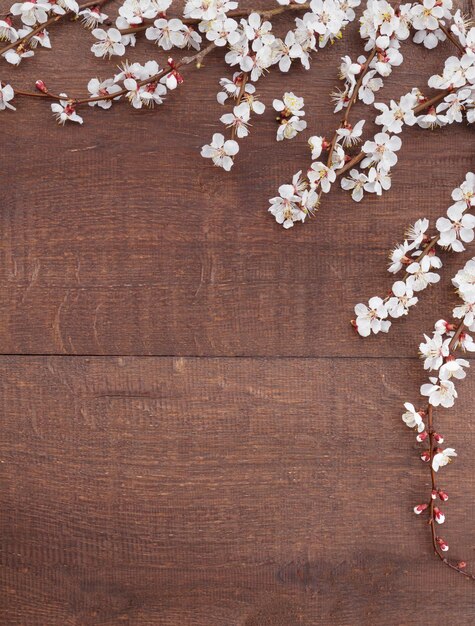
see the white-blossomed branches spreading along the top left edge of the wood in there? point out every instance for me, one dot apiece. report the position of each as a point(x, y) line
point(250, 43)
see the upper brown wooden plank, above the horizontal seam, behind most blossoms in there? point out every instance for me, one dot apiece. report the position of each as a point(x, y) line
point(117, 238)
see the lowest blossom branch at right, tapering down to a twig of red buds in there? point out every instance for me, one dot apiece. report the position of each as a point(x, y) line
point(439, 354)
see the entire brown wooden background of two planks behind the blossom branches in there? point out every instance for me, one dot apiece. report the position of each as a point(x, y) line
point(192, 435)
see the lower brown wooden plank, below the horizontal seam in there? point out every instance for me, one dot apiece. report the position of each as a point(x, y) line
point(224, 492)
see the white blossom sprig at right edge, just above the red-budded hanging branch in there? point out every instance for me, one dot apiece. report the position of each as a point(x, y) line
point(417, 256)
